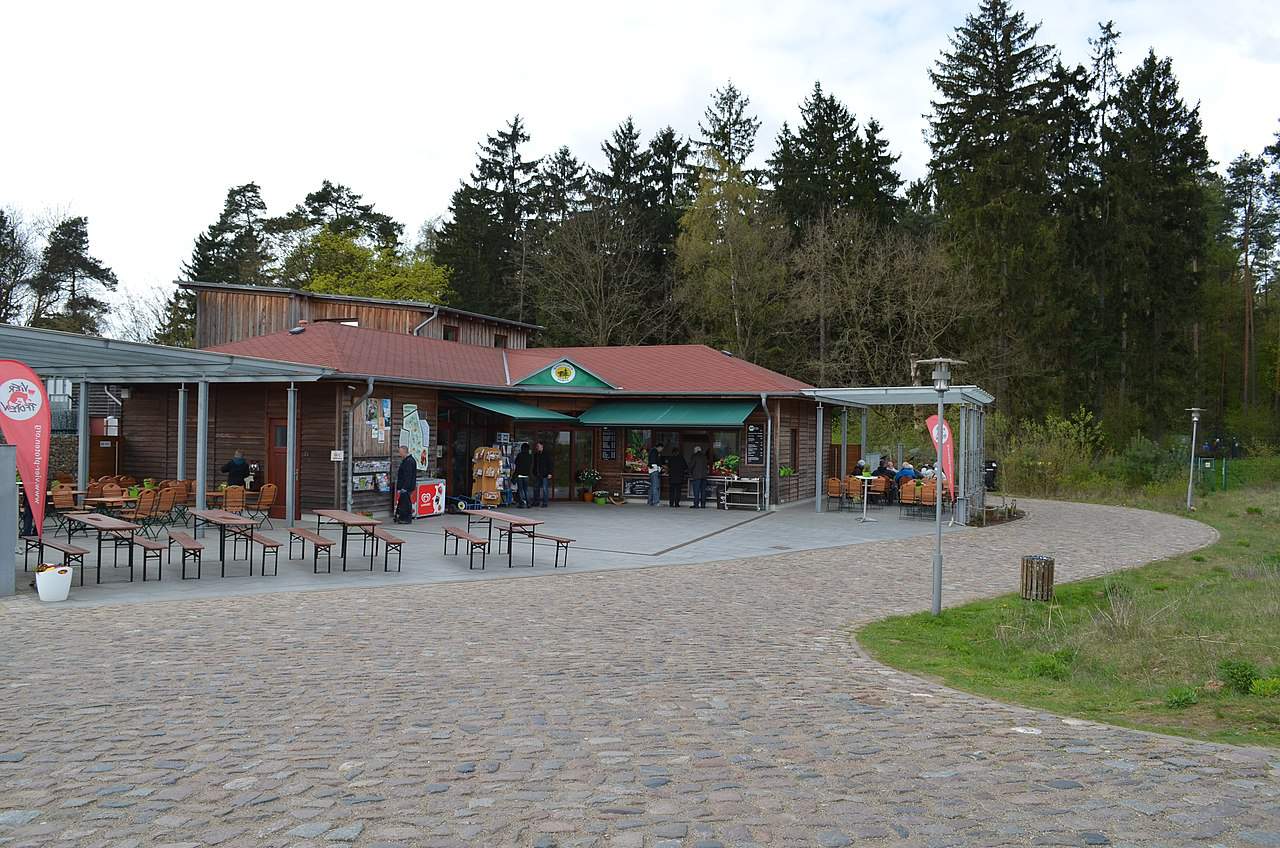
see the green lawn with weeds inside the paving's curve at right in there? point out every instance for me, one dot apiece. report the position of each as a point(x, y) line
point(1141, 649)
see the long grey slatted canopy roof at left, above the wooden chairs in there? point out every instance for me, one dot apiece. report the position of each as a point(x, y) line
point(107, 361)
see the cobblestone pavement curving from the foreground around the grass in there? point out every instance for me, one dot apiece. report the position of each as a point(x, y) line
point(676, 706)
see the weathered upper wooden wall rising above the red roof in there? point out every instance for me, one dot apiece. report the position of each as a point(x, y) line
point(225, 317)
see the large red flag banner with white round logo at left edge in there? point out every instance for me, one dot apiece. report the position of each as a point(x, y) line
point(25, 423)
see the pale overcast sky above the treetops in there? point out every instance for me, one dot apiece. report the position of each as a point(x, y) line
point(143, 116)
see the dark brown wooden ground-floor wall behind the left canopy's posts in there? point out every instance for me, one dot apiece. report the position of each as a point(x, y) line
point(239, 417)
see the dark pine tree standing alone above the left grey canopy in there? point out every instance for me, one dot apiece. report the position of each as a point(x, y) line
point(70, 284)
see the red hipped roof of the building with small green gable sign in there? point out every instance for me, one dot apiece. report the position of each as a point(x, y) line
point(643, 370)
